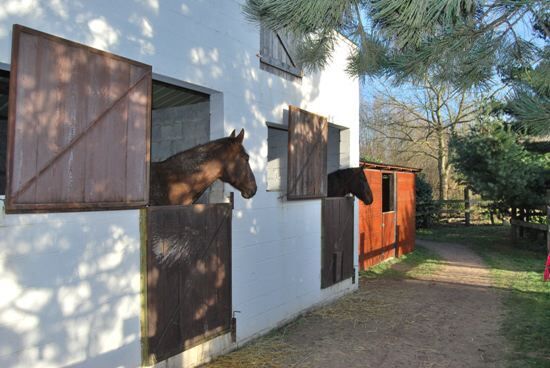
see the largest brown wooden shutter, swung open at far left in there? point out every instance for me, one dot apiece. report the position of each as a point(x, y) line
point(78, 126)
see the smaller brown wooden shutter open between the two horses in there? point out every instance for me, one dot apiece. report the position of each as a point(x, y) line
point(307, 155)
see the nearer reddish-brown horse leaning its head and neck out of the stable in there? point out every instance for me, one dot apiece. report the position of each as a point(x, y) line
point(183, 177)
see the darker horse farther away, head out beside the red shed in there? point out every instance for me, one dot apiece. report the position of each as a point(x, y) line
point(353, 180)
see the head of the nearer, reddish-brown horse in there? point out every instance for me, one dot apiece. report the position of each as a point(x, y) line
point(236, 169)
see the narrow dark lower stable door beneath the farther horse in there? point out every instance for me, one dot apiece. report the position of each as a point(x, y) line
point(337, 243)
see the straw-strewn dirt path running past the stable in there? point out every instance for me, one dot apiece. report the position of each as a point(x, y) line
point(449, 318)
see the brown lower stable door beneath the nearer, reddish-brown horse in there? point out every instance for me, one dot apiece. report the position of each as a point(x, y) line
point(188, 277)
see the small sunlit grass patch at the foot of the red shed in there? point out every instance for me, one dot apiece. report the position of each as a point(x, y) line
point(420, 262)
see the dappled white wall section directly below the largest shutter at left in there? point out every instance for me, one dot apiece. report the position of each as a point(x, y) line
point(70, 290)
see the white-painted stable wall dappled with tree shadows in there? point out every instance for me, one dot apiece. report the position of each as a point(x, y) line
point(276, 244)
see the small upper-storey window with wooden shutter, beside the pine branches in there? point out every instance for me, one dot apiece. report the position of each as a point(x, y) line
point(278, 54)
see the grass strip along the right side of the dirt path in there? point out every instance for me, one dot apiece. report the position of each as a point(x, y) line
point(520, 271)
